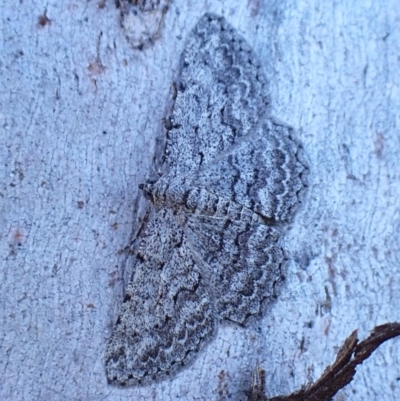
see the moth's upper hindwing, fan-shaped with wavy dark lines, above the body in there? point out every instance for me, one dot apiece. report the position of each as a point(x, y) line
point(263, 172)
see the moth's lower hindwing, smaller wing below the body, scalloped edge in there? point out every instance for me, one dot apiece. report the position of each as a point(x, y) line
point(244, 261)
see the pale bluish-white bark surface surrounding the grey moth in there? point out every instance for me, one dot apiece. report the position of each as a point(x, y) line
point(80, 111)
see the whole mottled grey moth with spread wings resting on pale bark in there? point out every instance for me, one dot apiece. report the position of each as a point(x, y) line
point(210, 250)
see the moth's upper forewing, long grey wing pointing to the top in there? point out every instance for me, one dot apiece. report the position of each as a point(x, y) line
point(222, 94)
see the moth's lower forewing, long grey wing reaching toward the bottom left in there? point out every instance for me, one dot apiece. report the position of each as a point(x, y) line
point(166, 316)
